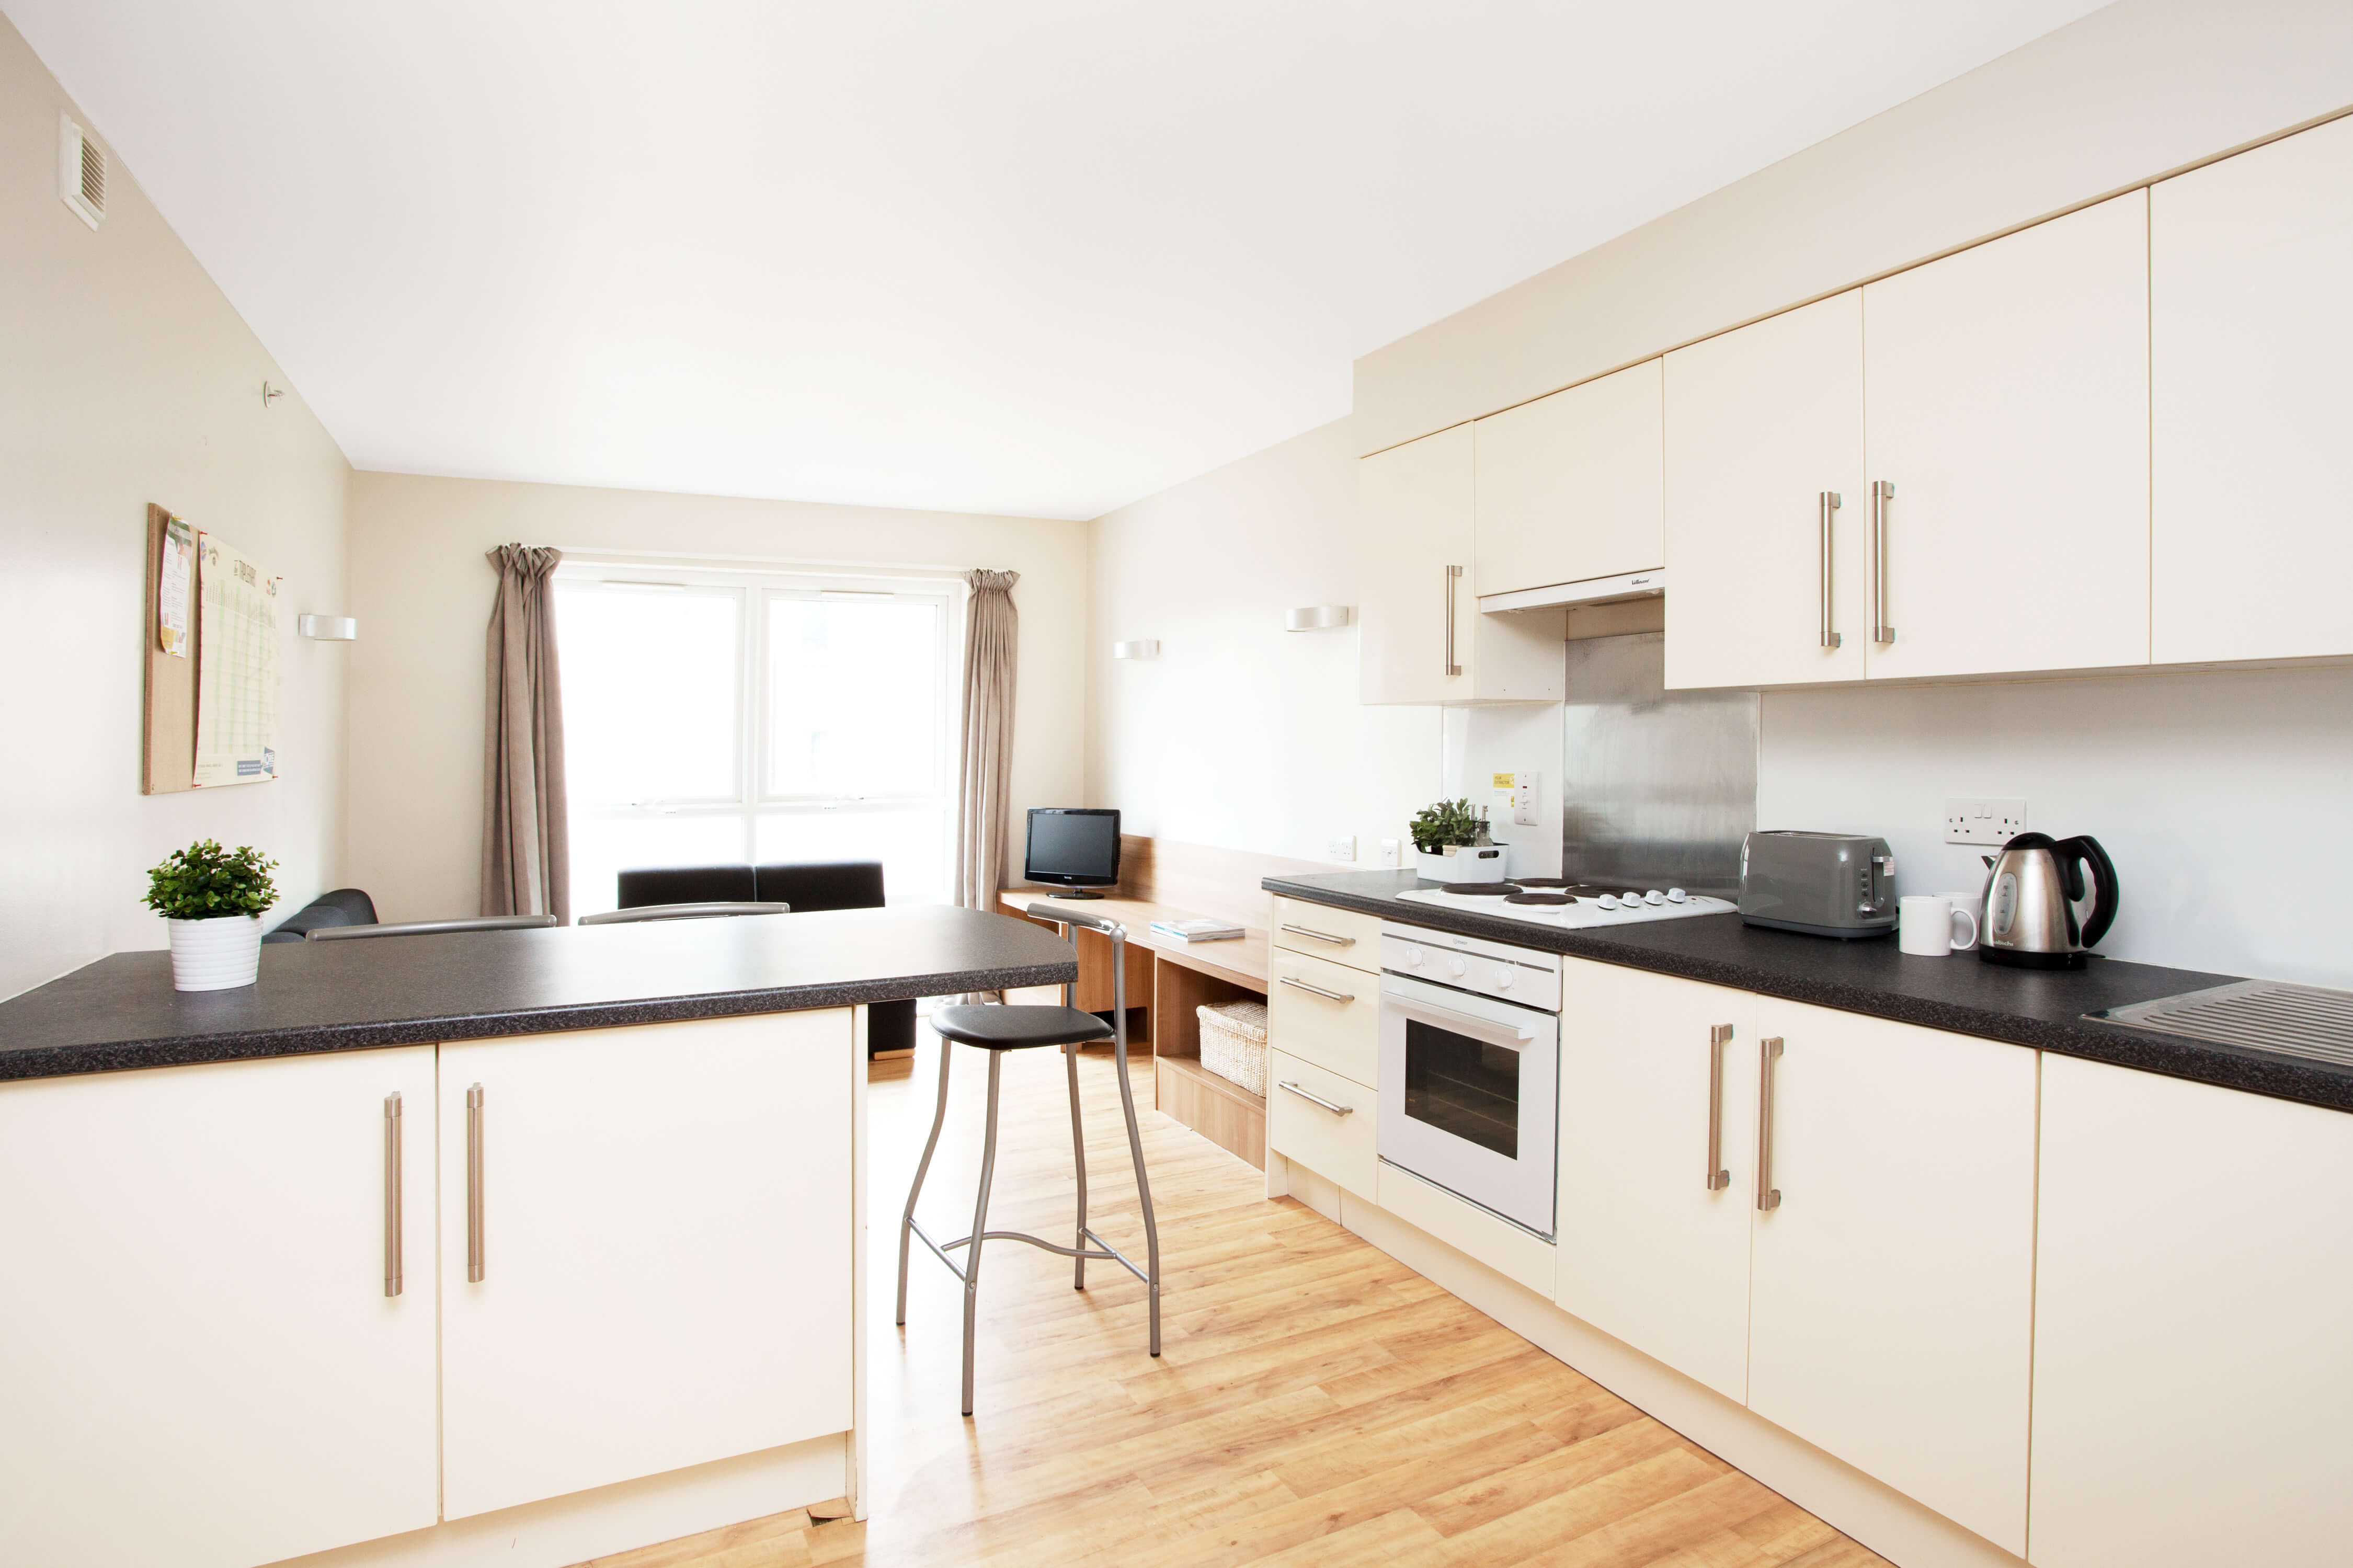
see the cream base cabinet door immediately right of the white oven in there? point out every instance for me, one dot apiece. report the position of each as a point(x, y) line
point(1651, 1251)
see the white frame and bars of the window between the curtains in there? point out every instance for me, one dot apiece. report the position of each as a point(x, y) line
point(754, 585)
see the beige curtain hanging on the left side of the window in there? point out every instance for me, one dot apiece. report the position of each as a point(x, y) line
point(526, 839)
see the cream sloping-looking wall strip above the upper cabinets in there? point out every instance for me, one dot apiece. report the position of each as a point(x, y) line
point(2117, 100)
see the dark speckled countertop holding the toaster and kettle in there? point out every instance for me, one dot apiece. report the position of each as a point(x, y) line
point(1964, 995)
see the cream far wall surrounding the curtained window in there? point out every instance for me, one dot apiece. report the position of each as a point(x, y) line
point(422, 592)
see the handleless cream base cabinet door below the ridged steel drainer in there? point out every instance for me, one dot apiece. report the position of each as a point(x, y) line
point(2194, 1376)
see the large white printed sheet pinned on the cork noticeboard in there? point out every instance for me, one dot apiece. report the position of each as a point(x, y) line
point(236, 667)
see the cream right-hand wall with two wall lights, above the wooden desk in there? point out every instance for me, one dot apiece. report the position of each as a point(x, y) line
point(1241, 733)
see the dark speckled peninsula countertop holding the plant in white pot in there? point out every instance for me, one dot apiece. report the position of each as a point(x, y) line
point(121, 1014)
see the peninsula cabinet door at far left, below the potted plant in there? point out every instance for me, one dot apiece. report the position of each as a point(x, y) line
point(204, 1367)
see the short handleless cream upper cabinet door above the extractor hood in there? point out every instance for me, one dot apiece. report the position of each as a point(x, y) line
point(1571, 486)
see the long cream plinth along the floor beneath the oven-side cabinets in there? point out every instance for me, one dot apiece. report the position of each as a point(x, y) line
point(1834, 1491)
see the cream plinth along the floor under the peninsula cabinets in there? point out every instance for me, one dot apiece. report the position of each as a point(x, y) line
point(620, 1517)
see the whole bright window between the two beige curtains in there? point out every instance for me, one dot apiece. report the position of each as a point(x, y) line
point(756, 717)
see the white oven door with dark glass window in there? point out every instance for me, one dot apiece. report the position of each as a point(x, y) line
point(1472, 1096)
